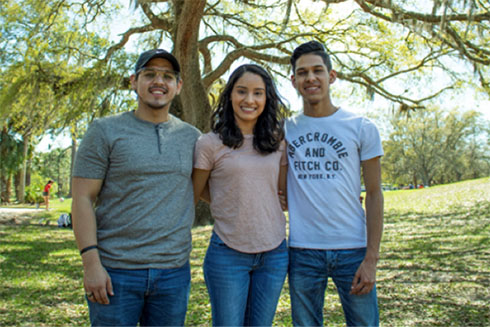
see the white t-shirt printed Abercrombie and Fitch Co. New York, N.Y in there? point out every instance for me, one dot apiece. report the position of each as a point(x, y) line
point(324, 179)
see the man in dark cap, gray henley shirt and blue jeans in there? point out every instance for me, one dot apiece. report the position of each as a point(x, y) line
point(135, 169)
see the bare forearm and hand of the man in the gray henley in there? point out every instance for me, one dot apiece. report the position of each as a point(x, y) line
point(96, 280)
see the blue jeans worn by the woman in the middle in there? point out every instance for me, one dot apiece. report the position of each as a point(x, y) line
point(244, 288)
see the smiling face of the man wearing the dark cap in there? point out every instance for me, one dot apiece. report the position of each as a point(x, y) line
point(154, 87)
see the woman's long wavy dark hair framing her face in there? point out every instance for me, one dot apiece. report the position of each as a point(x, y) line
point(268, 131)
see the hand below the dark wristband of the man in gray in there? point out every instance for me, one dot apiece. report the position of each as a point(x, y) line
point(97, 283)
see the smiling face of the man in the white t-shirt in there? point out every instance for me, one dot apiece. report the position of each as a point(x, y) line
point(312, 79)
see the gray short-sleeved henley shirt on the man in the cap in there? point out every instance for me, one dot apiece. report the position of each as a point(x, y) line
point(145, 207)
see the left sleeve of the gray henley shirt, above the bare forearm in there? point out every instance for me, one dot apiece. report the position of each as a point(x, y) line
point(92, 159)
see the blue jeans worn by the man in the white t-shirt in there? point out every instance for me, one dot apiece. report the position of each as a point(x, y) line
point(309, 271)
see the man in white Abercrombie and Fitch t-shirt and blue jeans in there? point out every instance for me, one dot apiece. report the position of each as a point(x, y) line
point(330, 235)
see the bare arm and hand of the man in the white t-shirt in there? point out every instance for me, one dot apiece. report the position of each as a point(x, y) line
point(365, 276)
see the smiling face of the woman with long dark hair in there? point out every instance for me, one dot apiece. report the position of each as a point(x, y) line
point(248, 98)
